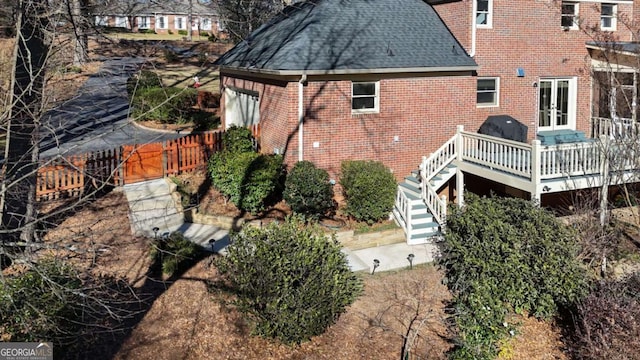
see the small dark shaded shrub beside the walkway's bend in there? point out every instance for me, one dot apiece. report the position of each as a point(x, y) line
point(174, 254)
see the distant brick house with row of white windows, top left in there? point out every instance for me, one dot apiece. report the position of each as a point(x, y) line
point(163, 18)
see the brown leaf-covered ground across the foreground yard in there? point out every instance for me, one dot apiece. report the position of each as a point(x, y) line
point(182, 319)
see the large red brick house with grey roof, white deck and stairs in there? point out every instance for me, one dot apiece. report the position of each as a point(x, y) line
point(409, 82)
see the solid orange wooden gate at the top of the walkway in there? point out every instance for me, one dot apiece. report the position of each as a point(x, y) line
point(142, 162)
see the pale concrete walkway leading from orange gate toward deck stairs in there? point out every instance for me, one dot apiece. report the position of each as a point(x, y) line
point(152, 204)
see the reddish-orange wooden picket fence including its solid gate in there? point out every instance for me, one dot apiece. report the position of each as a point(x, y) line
point(70, 177)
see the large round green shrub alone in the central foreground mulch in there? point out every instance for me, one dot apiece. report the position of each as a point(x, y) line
point(289, 278)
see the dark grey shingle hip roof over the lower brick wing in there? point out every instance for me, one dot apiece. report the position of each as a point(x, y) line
point(346, 36)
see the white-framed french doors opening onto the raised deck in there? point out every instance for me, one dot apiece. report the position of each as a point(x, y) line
point(557, 104)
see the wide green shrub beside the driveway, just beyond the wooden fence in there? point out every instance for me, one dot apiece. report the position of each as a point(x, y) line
point(166, 105)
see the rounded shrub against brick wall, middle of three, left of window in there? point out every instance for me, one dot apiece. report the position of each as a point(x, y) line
point(308, 191)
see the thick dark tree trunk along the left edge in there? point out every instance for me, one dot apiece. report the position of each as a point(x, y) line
point(22, 150)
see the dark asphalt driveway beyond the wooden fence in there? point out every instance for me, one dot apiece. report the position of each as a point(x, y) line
point(97, 118)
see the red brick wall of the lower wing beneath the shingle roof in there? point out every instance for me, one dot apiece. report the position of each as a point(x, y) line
point(421, 112)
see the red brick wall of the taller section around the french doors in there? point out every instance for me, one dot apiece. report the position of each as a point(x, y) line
point(527, 34)
